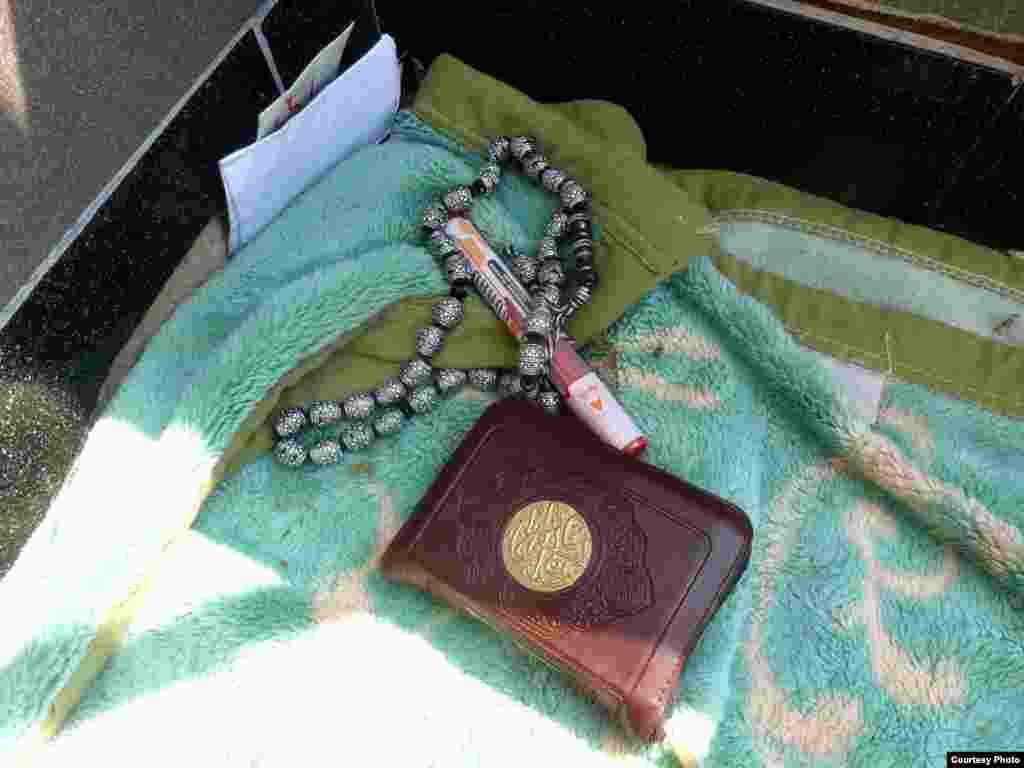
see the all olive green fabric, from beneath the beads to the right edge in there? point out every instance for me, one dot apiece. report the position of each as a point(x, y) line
point(653, 221)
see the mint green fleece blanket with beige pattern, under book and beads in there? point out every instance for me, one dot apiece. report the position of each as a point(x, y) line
point(880, 622)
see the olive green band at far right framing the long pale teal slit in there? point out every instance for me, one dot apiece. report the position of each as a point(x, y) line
point(910, 349)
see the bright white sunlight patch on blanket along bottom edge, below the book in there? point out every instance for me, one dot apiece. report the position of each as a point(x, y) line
point(331, 692)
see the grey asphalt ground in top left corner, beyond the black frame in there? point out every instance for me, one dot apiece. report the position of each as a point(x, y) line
point(88, 83)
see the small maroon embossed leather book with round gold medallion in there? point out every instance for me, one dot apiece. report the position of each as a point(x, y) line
point(530, 499)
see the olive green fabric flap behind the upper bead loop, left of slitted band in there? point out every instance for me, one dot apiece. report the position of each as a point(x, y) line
point(651, 227)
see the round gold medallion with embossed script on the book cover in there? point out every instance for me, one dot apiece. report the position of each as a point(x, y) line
point(547, 546)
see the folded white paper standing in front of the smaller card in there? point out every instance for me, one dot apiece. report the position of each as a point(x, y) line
point(355, 111)
